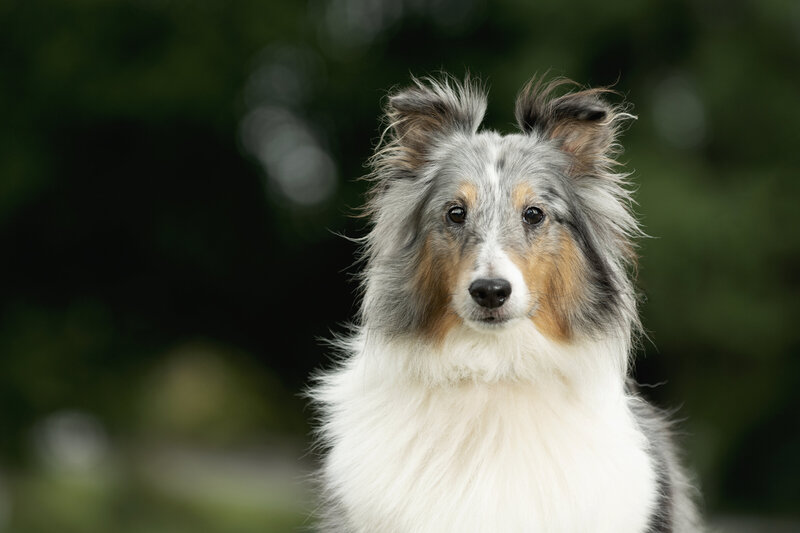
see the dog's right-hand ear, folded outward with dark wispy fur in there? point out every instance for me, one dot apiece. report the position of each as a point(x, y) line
point(581, 123)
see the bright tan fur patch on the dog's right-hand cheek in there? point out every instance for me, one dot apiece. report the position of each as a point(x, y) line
point(554, 280)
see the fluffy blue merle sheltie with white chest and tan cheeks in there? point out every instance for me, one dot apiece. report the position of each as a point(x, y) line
point(485, 387)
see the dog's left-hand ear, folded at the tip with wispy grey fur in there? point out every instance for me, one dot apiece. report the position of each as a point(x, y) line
point(428, 111)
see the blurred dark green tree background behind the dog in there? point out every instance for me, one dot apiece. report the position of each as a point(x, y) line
point(172, 174)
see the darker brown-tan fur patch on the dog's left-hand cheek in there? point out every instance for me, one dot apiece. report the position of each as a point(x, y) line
point(434, 281)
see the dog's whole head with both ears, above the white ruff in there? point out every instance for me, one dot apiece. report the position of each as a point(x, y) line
point(478, 229)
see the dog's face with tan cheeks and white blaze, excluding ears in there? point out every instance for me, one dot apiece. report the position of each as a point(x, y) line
point(496, 226)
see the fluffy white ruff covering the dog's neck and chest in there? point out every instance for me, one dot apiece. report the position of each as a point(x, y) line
point(491, 432)
